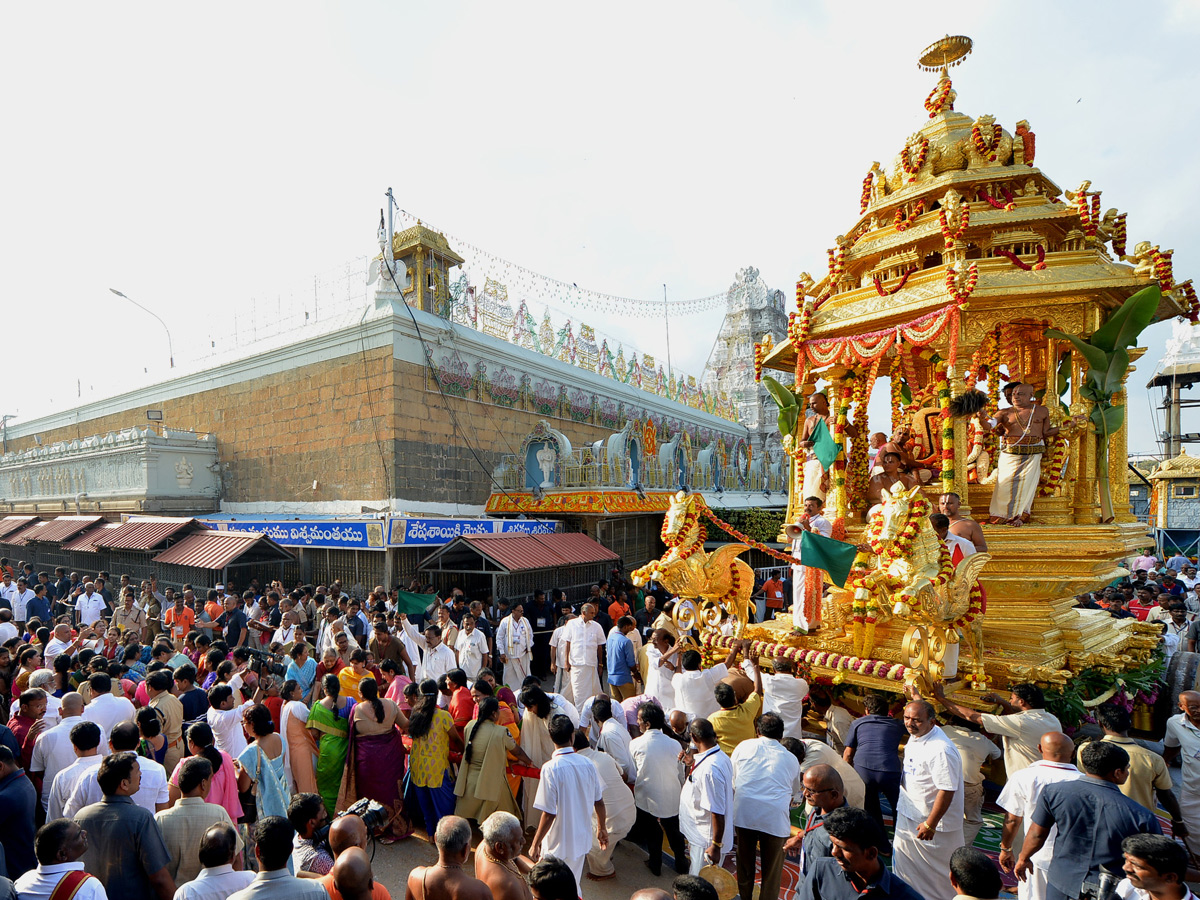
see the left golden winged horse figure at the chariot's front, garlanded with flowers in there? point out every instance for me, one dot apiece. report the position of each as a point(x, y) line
point(716, 584)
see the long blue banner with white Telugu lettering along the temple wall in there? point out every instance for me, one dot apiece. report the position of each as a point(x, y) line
point(401, 531)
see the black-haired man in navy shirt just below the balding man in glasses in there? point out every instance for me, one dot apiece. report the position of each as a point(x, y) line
point(855, 872)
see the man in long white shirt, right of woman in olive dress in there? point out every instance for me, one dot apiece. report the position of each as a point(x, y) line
point(568, 791)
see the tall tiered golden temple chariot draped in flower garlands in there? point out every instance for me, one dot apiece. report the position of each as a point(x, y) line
point(1000, 314)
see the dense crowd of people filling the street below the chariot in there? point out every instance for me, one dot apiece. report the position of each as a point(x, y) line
point(206, 745)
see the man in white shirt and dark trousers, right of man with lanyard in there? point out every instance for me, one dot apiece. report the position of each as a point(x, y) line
point(767, 783)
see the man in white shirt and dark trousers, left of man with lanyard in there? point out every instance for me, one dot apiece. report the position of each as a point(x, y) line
point(657, 789)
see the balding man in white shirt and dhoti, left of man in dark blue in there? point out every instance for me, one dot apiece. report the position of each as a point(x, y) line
point(1021, 799)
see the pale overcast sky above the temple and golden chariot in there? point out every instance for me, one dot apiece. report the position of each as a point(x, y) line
point(201, 158)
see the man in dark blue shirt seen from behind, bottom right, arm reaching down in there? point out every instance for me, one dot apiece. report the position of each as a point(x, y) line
point(1093, 817)
